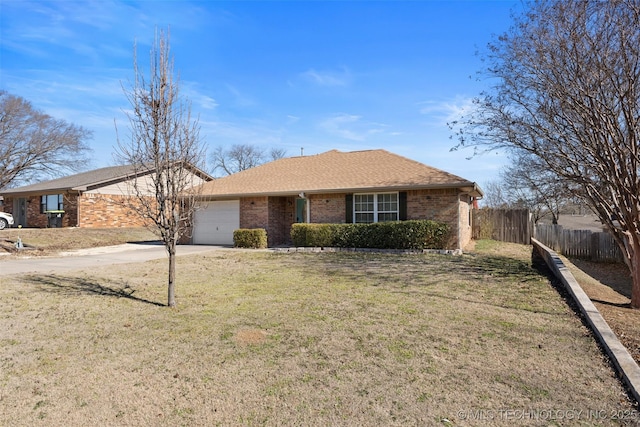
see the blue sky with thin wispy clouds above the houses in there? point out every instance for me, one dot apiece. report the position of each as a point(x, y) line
point(316, 75)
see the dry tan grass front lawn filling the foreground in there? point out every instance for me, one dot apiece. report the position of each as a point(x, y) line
point(262, 338)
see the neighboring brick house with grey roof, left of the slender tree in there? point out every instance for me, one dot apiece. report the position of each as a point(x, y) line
point(99, 198)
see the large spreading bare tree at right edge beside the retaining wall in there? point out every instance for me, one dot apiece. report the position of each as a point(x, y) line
point(568, 91)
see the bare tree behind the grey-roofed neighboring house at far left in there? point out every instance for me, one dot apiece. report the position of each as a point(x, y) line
point(34, 144)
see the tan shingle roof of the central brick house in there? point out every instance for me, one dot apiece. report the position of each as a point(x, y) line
point(334, 171)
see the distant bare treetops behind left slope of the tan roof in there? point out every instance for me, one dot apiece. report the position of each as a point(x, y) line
point(241, 157)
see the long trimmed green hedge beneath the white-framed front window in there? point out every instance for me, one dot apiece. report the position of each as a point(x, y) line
point(414, 234)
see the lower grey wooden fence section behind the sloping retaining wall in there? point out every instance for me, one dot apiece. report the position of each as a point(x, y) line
point(585, 244)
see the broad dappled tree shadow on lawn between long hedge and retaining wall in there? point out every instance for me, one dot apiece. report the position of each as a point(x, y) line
point(489, 280)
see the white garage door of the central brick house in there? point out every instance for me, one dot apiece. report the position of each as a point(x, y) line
point(215, 223)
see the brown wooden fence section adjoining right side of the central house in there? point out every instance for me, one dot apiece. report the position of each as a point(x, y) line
point(506, 225)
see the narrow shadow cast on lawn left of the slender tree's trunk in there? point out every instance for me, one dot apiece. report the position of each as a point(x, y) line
point(81, 286)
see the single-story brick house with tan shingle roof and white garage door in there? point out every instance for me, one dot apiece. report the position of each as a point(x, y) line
point(333, 187)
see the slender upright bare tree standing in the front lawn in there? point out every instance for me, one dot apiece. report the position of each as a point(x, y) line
point(164, 146)
